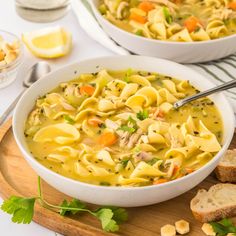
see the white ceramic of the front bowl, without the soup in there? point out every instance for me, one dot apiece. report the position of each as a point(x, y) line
point(119, 196)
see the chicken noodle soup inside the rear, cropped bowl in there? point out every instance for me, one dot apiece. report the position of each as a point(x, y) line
point(175, 20)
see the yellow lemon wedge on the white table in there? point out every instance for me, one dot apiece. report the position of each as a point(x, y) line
point(49, 42)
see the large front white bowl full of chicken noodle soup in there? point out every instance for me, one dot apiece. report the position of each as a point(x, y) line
point(105, 131)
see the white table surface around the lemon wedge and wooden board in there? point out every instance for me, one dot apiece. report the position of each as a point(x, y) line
point(83, 47)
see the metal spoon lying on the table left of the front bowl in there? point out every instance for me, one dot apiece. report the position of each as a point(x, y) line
point(36, 72)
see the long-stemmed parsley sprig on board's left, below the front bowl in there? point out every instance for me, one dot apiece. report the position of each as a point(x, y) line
point(22, 210)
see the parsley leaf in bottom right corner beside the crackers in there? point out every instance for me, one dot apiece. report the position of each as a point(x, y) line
point(223, 227)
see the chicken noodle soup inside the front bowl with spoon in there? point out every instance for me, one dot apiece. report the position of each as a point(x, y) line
point(119, 128)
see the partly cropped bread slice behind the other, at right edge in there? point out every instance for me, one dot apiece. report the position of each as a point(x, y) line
point(226, 169)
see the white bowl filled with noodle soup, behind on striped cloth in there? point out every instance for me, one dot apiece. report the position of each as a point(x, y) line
point(188, 32)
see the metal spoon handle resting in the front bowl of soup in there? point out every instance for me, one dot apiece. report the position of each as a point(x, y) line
point(225, 86)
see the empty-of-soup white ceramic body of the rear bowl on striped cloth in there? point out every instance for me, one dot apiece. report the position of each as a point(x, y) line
point(182, 52)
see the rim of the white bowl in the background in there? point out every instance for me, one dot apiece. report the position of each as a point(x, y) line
point(156, 40)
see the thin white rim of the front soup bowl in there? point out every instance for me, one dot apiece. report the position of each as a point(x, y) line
point(30, 157)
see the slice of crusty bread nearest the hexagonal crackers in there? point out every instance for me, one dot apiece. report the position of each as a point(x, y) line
point(216, 203)
